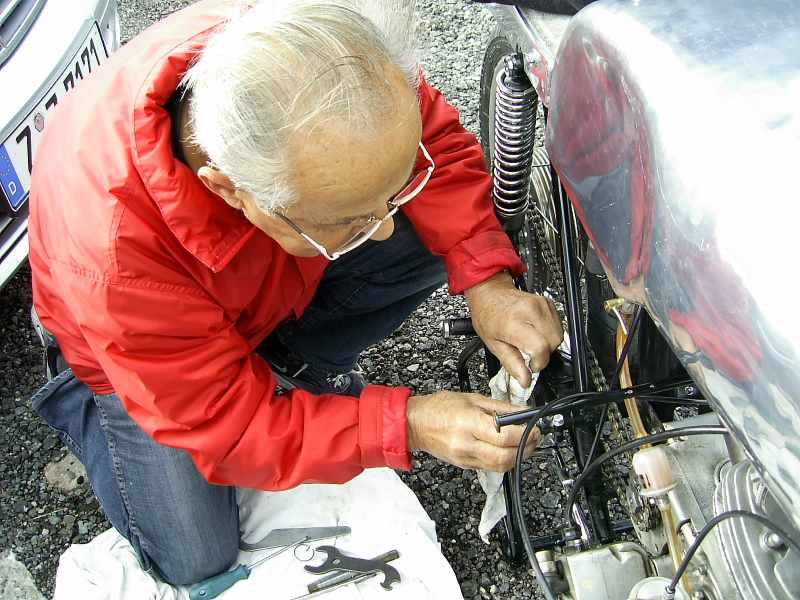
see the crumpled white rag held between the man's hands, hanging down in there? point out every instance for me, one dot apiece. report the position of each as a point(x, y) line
point(506, 388)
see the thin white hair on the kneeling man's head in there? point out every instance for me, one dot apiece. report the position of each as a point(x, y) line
point(278, 65)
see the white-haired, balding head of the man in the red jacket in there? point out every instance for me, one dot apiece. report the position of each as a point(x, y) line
point(308, 109)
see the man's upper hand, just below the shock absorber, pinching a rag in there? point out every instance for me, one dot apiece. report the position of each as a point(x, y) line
point(509, 321)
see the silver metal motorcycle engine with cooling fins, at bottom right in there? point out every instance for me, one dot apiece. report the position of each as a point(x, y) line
point(740, 559)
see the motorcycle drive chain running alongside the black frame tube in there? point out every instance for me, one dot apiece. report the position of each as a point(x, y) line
point(627, 490)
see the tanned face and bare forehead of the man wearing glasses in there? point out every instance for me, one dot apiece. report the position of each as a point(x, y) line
point(342, 178)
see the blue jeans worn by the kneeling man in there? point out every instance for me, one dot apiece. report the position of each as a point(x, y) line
point(183, 528)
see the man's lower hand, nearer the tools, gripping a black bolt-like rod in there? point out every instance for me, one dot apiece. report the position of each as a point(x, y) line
point(459, 428)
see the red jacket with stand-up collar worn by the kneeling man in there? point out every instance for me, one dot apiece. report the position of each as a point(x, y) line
point(159, 291)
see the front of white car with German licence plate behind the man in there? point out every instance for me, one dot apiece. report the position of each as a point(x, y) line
point(47, 47)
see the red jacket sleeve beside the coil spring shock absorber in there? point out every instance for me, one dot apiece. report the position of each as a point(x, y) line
point(454, 215)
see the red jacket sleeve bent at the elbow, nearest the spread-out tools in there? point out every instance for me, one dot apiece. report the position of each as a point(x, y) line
point(192, 381)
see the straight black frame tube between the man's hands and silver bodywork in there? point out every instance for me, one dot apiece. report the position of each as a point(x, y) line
point(585, 421)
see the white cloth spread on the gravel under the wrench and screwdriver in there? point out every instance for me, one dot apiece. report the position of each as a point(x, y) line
point(383, 513)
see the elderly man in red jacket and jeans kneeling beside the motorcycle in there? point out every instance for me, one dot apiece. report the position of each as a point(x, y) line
point(282, 187)
